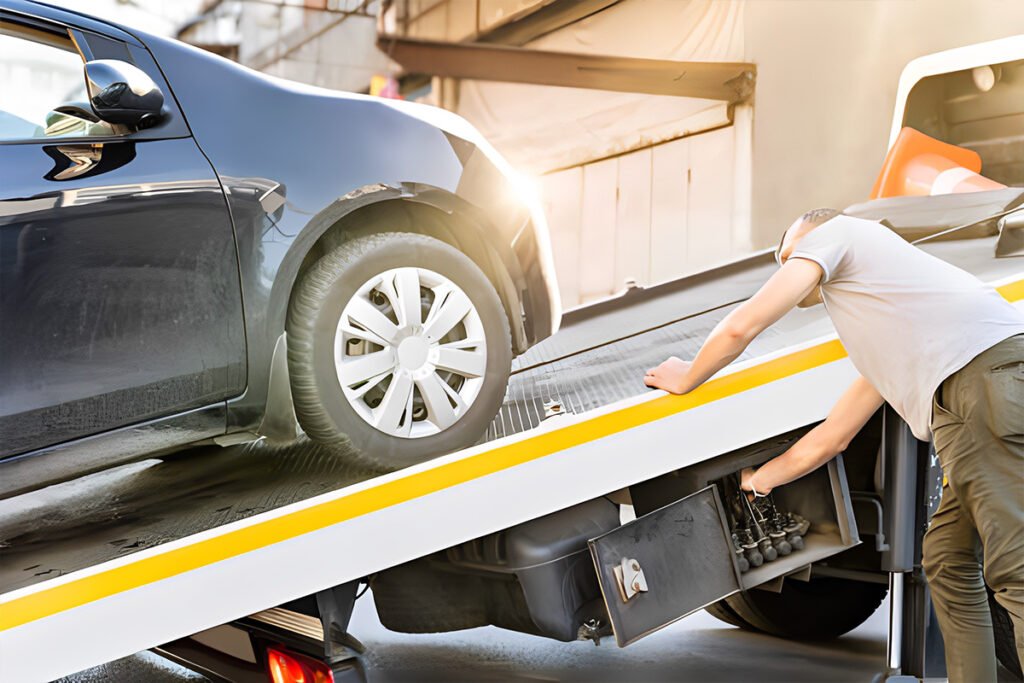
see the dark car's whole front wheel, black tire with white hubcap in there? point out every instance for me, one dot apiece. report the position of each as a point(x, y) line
point(439, 410)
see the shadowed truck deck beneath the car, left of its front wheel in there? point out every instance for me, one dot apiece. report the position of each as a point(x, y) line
point(113, 515)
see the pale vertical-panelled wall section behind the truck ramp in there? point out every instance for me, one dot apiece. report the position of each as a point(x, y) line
point(648, 217)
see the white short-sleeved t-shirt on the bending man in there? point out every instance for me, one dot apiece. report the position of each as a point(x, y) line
point(908, 320)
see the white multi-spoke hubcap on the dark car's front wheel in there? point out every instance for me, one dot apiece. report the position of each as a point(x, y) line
point(411, 353)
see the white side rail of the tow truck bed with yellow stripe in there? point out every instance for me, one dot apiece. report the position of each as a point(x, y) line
point(189, 584)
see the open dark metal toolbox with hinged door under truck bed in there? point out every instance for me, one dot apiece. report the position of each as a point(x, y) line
point(680, 559)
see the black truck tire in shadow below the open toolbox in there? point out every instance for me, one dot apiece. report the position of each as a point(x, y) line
point(821, 610)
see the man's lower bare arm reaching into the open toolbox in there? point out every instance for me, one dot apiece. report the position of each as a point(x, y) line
point(818, 447)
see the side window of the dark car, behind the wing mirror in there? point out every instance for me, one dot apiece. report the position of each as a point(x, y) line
point(45, 96)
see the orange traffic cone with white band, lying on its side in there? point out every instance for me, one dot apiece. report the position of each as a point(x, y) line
point(918, 164)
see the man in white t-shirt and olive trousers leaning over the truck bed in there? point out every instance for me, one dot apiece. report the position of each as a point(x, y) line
point(947, 352)
